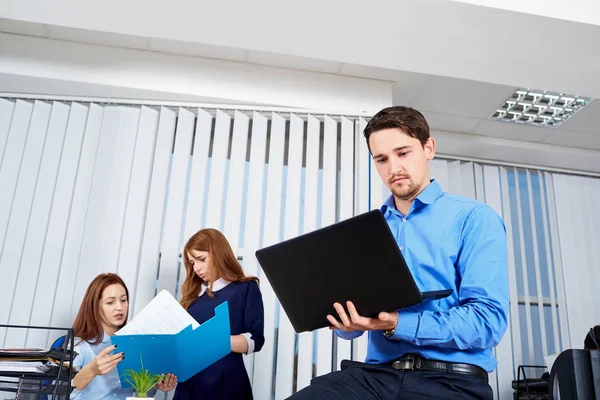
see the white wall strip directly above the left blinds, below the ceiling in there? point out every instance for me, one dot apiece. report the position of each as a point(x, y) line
point(62, 68)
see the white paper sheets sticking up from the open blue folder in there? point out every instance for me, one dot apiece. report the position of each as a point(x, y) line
point(163, 315)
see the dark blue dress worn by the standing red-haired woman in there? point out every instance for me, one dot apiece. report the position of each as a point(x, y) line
point(227, 379)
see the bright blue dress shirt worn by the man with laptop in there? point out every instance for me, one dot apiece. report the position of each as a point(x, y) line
point(449, 242)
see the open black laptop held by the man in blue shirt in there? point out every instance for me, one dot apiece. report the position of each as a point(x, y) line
point(357, 259)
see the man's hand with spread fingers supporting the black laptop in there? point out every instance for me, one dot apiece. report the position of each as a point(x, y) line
point(352, 321)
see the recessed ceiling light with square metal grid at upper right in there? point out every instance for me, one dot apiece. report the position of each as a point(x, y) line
point(541, 108)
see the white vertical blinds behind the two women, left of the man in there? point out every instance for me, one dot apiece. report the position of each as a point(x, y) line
point(92, 188)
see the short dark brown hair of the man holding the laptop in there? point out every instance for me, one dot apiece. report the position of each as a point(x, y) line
point(409, 120)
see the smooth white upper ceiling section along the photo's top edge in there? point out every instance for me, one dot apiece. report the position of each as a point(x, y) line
point(435, 37)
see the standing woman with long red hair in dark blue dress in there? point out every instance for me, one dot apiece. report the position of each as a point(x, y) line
point(213, 275)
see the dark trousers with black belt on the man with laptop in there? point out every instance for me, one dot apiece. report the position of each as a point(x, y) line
point(359, 381)
